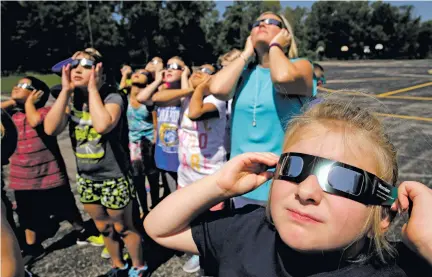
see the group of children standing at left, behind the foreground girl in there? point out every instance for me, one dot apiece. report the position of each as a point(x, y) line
point(159, 123)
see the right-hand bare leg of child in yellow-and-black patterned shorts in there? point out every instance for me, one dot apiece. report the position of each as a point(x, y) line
point(123, 225)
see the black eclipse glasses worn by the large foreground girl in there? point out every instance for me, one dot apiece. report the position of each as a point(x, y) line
point(336, 178)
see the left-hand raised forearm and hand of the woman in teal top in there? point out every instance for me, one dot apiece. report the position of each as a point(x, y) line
point(223, 83)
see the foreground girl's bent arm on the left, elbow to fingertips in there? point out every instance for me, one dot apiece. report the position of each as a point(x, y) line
point(169, 222)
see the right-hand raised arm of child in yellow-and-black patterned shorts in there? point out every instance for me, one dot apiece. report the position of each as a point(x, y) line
point(107, 115)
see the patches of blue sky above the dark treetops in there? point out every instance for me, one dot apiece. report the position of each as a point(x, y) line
point(421, 8)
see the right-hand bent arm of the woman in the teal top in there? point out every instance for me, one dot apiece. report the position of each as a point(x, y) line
point(290, 78)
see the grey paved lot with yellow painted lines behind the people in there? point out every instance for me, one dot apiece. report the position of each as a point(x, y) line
point(403, 98)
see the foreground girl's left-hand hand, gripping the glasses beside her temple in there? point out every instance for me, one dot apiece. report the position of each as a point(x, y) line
point(245, 172)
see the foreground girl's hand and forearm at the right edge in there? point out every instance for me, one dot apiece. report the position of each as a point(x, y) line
point(417, 232)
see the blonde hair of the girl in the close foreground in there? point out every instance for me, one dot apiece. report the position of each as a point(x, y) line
point(358, 122)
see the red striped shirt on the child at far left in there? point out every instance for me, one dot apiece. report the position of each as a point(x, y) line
point(37, 162)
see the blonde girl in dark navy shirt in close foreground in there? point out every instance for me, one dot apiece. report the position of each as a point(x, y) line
point(329, 206)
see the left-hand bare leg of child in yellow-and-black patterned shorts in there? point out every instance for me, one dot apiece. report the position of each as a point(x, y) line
point(106, 227)
